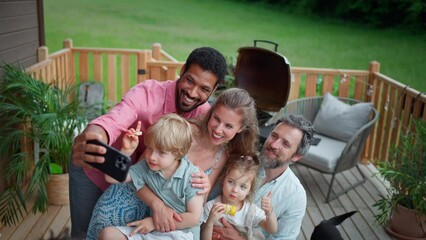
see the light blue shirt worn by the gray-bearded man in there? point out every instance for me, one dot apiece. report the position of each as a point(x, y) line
point(288, 202)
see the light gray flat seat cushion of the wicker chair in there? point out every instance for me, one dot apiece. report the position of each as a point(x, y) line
point(324, 156)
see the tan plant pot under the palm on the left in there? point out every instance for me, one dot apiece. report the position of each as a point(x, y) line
point(58, 189)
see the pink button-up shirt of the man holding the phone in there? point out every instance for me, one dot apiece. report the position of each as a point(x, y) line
point(145, 102)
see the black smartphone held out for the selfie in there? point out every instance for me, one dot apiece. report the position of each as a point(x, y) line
point(116, 164)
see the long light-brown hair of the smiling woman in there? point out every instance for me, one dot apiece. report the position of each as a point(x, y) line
point(239, 101)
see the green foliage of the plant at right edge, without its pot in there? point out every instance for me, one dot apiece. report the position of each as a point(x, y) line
point(405, 170)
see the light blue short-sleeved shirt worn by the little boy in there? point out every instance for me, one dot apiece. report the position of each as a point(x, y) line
point(175, 192)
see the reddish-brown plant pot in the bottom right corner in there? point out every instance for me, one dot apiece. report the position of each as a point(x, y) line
point(405, 224)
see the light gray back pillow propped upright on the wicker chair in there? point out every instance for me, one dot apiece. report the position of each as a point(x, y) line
point(339, 120)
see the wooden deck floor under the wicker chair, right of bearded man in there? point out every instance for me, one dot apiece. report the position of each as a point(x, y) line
point(360, 225)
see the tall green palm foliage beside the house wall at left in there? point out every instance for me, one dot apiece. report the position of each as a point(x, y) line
point(38, 123)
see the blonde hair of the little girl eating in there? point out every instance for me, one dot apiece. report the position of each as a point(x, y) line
point(247, 165)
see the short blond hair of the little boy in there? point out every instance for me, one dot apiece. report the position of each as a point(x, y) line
point(170, 133)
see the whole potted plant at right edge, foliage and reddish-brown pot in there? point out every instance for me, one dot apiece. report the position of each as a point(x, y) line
point(405, 171)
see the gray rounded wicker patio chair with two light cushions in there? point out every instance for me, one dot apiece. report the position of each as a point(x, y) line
point(342, 125)
